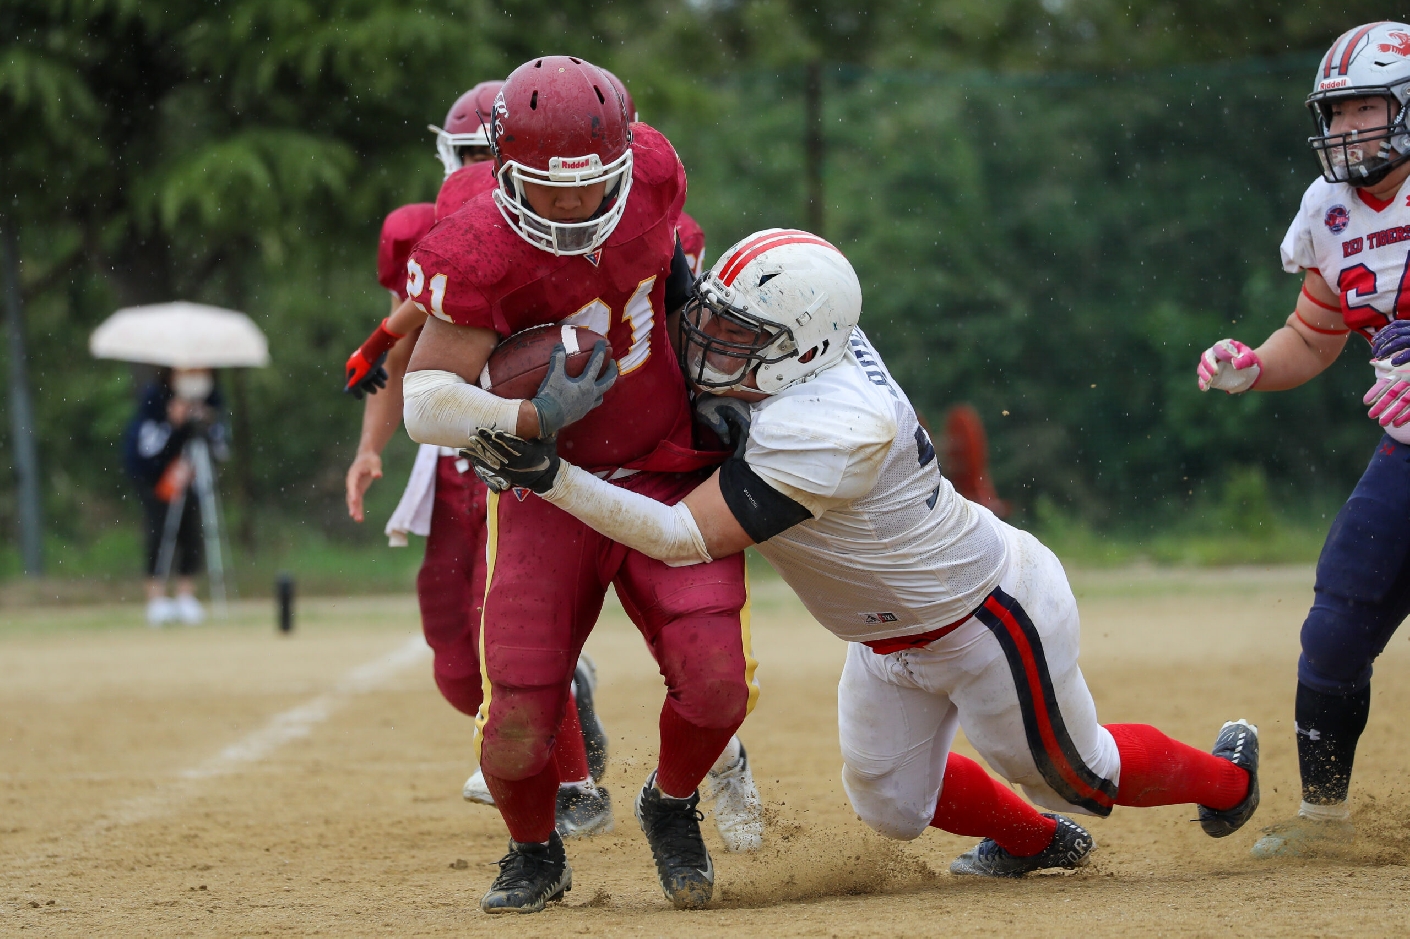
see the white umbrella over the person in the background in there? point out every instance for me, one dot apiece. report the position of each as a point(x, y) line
point(181, 336)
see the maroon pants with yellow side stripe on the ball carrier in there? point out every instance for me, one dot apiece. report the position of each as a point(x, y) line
point(548, 579)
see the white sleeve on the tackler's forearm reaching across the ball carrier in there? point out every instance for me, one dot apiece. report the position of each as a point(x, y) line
point(666, 532)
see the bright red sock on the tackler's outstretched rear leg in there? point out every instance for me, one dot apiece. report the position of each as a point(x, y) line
point(1158, 771)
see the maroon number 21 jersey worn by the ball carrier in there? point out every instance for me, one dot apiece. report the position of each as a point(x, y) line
point(474, 270)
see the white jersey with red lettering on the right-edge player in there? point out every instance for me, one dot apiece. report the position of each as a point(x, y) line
point(1361, 247)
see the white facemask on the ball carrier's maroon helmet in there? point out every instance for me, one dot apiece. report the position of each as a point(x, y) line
point(565, 173)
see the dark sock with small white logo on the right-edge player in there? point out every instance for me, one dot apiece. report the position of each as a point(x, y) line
point(1329, 728)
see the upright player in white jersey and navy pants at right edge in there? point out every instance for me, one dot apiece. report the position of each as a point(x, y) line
point(1350, 242)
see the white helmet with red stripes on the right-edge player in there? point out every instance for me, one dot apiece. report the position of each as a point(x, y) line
point(1371, 61)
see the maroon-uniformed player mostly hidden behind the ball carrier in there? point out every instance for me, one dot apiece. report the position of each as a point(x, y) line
point(445, 501)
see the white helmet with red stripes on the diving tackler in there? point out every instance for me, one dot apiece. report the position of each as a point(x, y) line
point(778, 307)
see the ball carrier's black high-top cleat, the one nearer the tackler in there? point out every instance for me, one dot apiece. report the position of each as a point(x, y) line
point(673, 830)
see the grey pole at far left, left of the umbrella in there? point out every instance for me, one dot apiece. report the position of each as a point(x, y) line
point(22, 411)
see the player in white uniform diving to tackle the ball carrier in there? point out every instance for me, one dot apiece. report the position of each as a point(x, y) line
point(955, 618)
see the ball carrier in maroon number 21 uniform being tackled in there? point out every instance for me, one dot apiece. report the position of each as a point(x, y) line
point(580, 229)
